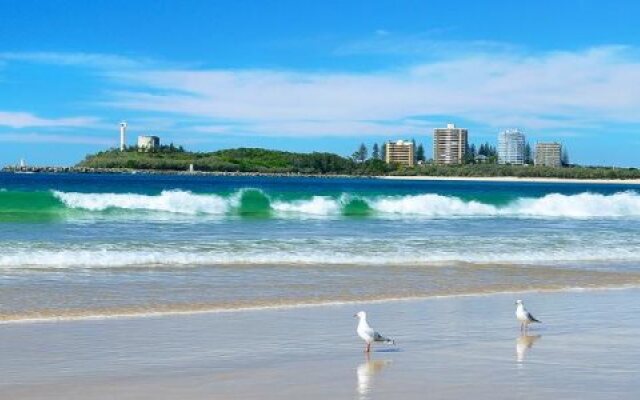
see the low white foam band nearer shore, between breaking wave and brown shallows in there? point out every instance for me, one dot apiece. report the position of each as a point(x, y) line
point(29, 258)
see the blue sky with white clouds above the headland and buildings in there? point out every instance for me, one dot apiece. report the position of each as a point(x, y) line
point(311, 75)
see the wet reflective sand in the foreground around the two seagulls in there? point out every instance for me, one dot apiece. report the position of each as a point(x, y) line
point(448, 348)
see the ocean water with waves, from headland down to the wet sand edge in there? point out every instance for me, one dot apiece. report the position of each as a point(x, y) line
point(84, 246)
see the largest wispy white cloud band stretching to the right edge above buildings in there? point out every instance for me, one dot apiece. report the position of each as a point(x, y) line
point(544, 91)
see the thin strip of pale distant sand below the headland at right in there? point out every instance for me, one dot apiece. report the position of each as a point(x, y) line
point(507, 179)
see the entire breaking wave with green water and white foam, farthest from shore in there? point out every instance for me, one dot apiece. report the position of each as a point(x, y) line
point(253, 202)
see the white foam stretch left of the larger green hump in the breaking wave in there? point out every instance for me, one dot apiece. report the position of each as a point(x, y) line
point(174, 201)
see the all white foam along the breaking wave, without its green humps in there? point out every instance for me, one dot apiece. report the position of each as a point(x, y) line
point(583, 205)
